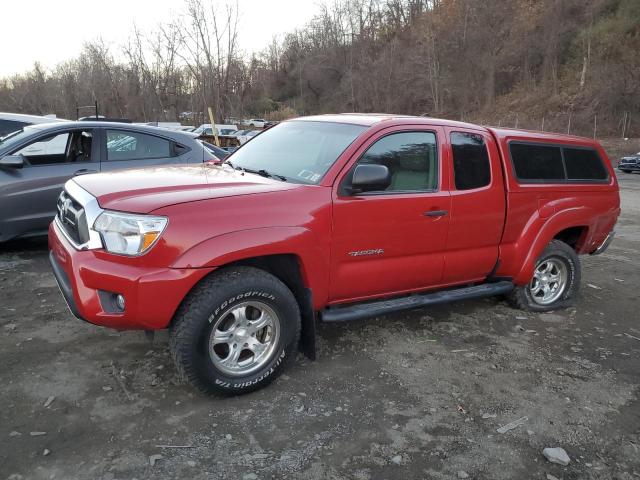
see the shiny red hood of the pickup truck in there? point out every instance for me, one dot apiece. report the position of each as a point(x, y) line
point(147, 189)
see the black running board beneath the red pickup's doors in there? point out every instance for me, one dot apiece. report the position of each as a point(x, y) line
point(382, 307)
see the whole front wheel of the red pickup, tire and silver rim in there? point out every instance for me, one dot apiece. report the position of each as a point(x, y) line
point(235, 331)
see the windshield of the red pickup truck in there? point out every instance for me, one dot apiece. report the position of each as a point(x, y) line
point(299, 151)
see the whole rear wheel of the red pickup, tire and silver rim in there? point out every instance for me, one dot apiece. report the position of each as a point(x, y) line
point(556, 279)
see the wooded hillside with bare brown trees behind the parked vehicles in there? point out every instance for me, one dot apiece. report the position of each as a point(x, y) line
point(543, 64)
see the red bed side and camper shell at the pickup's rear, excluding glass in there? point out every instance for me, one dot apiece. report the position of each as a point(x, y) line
point(537, 212)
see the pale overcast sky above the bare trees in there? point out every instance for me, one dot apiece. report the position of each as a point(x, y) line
point(51, 31)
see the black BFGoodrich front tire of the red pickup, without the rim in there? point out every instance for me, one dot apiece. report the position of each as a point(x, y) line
point(194, 320)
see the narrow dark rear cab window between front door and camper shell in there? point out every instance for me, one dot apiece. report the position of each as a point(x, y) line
point(470, 161)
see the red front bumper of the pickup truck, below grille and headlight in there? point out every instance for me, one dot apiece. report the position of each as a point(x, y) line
point(152, 295)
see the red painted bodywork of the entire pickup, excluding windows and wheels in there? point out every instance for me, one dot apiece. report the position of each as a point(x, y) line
point(218, 216)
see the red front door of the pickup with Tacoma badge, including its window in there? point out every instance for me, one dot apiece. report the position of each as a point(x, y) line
point(392, 241)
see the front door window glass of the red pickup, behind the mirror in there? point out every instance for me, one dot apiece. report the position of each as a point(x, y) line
point(411, 157)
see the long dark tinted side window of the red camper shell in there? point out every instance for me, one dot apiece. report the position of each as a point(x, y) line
point(556, 163)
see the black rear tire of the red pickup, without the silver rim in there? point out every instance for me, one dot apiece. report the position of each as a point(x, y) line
point(521, 296)
